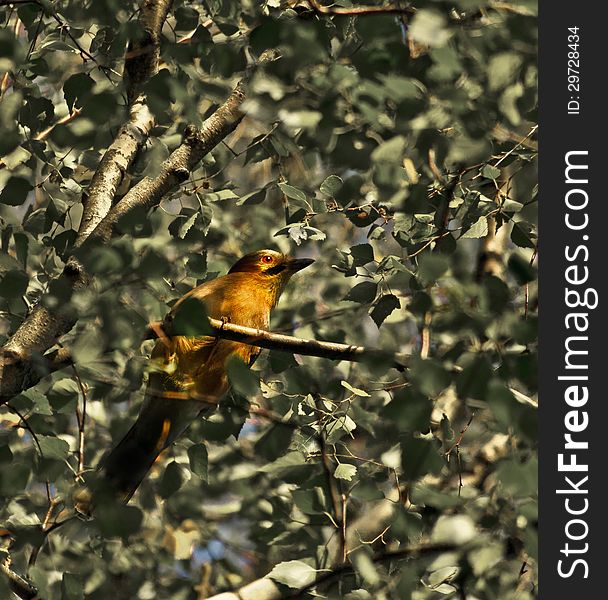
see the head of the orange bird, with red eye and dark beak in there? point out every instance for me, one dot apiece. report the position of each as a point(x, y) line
point(270, 269)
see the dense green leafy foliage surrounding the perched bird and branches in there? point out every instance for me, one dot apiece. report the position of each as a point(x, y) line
point(396, 149)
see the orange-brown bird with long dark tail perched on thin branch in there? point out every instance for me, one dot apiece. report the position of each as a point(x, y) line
point(189, 373)
